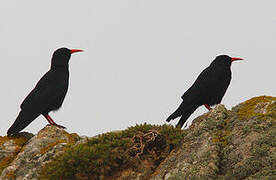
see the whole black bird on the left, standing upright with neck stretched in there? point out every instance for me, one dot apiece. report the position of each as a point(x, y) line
point(48, 94)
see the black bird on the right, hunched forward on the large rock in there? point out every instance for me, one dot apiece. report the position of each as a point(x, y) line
point(207, 90)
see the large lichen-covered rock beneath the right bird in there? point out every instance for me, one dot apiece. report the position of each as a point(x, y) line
point(222, 144)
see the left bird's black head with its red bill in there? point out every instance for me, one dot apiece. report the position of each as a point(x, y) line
point(62, 55)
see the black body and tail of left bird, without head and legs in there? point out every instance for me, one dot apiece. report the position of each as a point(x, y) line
point(47, 95)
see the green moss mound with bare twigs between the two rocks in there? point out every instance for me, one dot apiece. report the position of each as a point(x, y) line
point(114, 152)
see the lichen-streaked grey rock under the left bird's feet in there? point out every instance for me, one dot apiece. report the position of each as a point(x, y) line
point(39, 150)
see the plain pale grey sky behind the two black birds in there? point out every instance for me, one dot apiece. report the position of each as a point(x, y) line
point(140, 56)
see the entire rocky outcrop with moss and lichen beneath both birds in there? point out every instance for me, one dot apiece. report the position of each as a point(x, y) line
point(221, 144)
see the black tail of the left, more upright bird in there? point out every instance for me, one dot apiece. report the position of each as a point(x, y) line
point(23, 120)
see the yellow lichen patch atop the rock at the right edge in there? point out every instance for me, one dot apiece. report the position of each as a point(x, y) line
point(257, 106)
